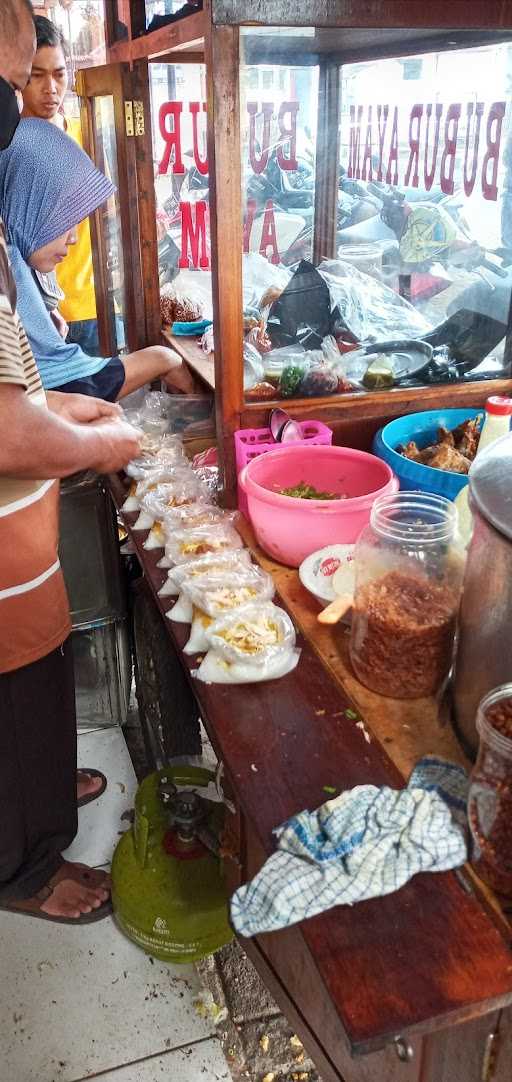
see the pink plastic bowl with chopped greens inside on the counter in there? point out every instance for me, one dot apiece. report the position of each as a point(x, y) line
point(291, 530)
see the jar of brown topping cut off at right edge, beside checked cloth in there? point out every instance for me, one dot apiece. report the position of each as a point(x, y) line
point(490, 802)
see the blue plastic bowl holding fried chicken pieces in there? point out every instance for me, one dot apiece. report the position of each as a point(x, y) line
point(422, 428)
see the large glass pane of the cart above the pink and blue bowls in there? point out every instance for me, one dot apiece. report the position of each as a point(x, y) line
point(410, 165)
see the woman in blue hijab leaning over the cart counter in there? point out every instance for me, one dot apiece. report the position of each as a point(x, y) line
point(48, 187)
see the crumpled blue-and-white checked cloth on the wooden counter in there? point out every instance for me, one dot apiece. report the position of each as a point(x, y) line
point(365, 843)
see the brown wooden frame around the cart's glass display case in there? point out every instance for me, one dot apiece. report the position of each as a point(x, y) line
point(214, 36)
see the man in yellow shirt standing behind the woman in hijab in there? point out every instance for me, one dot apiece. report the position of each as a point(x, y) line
point(44, 98)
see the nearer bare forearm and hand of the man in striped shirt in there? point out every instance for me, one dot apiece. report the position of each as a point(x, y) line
point(40, 444)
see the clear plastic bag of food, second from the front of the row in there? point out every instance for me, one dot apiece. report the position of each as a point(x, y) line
point(212, 596)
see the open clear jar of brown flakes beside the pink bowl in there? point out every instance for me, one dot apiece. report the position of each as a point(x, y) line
point(410, 566)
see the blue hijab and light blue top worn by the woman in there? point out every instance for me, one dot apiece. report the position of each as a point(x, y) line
point(48, 186)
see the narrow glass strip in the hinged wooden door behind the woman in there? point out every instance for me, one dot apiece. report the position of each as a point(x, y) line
point(111, 218)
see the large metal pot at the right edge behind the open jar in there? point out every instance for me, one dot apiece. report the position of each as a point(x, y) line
point(484, 655)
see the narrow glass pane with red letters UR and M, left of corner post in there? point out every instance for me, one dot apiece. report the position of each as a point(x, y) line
point(182, 190)
